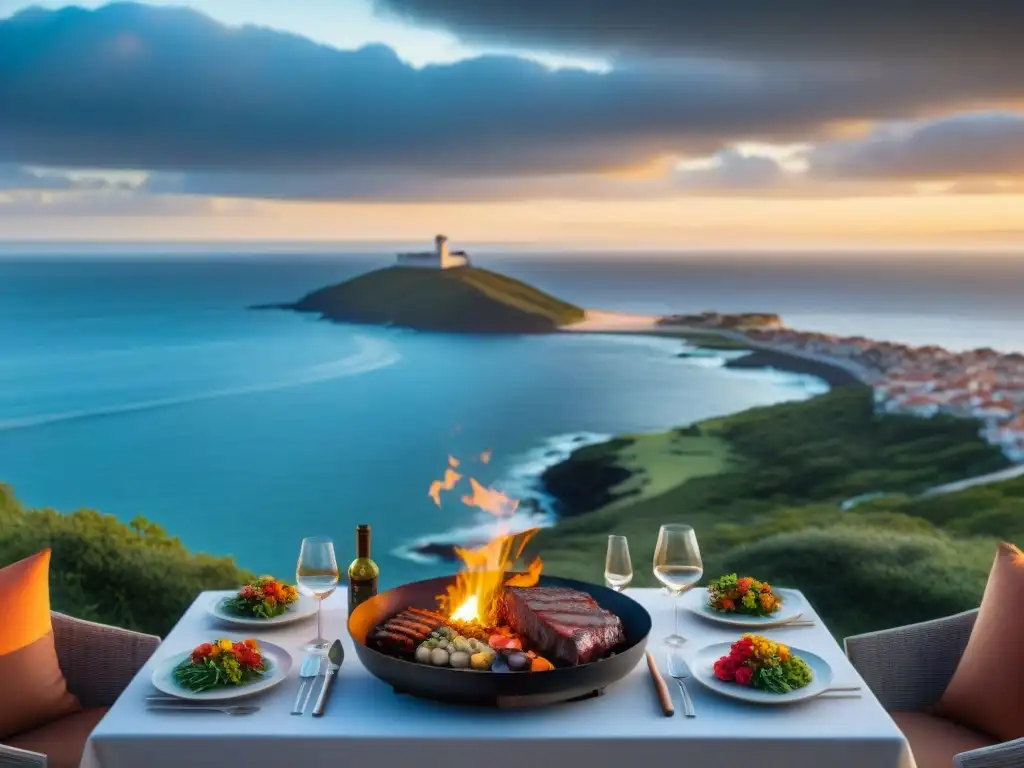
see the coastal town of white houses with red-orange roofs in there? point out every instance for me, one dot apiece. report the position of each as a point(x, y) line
point(983, 385)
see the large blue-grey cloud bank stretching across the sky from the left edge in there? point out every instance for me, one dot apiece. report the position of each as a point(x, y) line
point(137, 88)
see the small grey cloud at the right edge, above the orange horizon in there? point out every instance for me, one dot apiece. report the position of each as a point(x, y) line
point(959, 147)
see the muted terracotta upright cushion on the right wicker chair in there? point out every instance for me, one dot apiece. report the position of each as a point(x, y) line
point(987, 693)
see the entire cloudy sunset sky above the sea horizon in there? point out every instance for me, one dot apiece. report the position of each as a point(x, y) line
point(655, 124)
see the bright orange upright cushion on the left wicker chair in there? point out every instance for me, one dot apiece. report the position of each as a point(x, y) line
point(34, 691)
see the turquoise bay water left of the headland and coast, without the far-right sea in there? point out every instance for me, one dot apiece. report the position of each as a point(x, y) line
point(151, 390)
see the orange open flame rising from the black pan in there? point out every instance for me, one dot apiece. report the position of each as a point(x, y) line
point(474, 596)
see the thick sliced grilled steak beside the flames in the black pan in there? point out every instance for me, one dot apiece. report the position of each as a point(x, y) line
point(564, 625)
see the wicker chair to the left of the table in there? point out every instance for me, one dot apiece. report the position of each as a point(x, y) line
point(98, 662)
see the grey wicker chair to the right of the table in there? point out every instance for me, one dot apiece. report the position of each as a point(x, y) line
point(909, 668)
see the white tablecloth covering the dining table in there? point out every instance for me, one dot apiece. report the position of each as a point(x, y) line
point(367, 724)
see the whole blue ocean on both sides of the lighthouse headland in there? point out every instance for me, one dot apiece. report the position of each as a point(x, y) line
point(145, 387)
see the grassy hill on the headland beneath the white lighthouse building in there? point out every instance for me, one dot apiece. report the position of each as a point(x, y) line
point(464, 300)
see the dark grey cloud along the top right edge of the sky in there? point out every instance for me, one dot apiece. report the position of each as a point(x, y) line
point(988, 35)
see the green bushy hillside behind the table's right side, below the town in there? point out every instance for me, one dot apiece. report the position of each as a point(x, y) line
point(762, 489)
